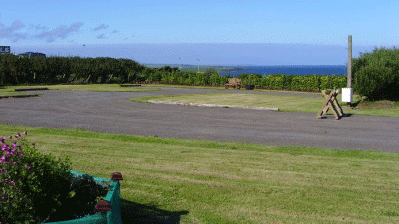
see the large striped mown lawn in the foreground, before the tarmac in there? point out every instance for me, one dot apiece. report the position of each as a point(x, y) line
point(193, 181)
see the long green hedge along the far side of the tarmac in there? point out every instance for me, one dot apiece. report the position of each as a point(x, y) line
point(15, 70)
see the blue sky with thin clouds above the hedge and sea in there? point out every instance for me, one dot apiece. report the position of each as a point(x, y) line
point(212, 32)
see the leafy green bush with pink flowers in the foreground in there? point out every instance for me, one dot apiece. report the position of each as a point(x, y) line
point(33, 185)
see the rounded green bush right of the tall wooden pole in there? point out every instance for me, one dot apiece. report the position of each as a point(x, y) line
point(376, 74)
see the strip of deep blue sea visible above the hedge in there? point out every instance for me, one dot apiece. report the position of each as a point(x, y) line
point(332, 70)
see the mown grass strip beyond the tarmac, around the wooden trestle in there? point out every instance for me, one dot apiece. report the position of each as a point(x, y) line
point(282, 102)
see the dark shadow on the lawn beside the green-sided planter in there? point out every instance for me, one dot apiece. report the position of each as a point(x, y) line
point(138, 213)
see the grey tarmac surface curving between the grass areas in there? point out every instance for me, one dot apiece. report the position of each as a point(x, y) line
point(111, 112)
